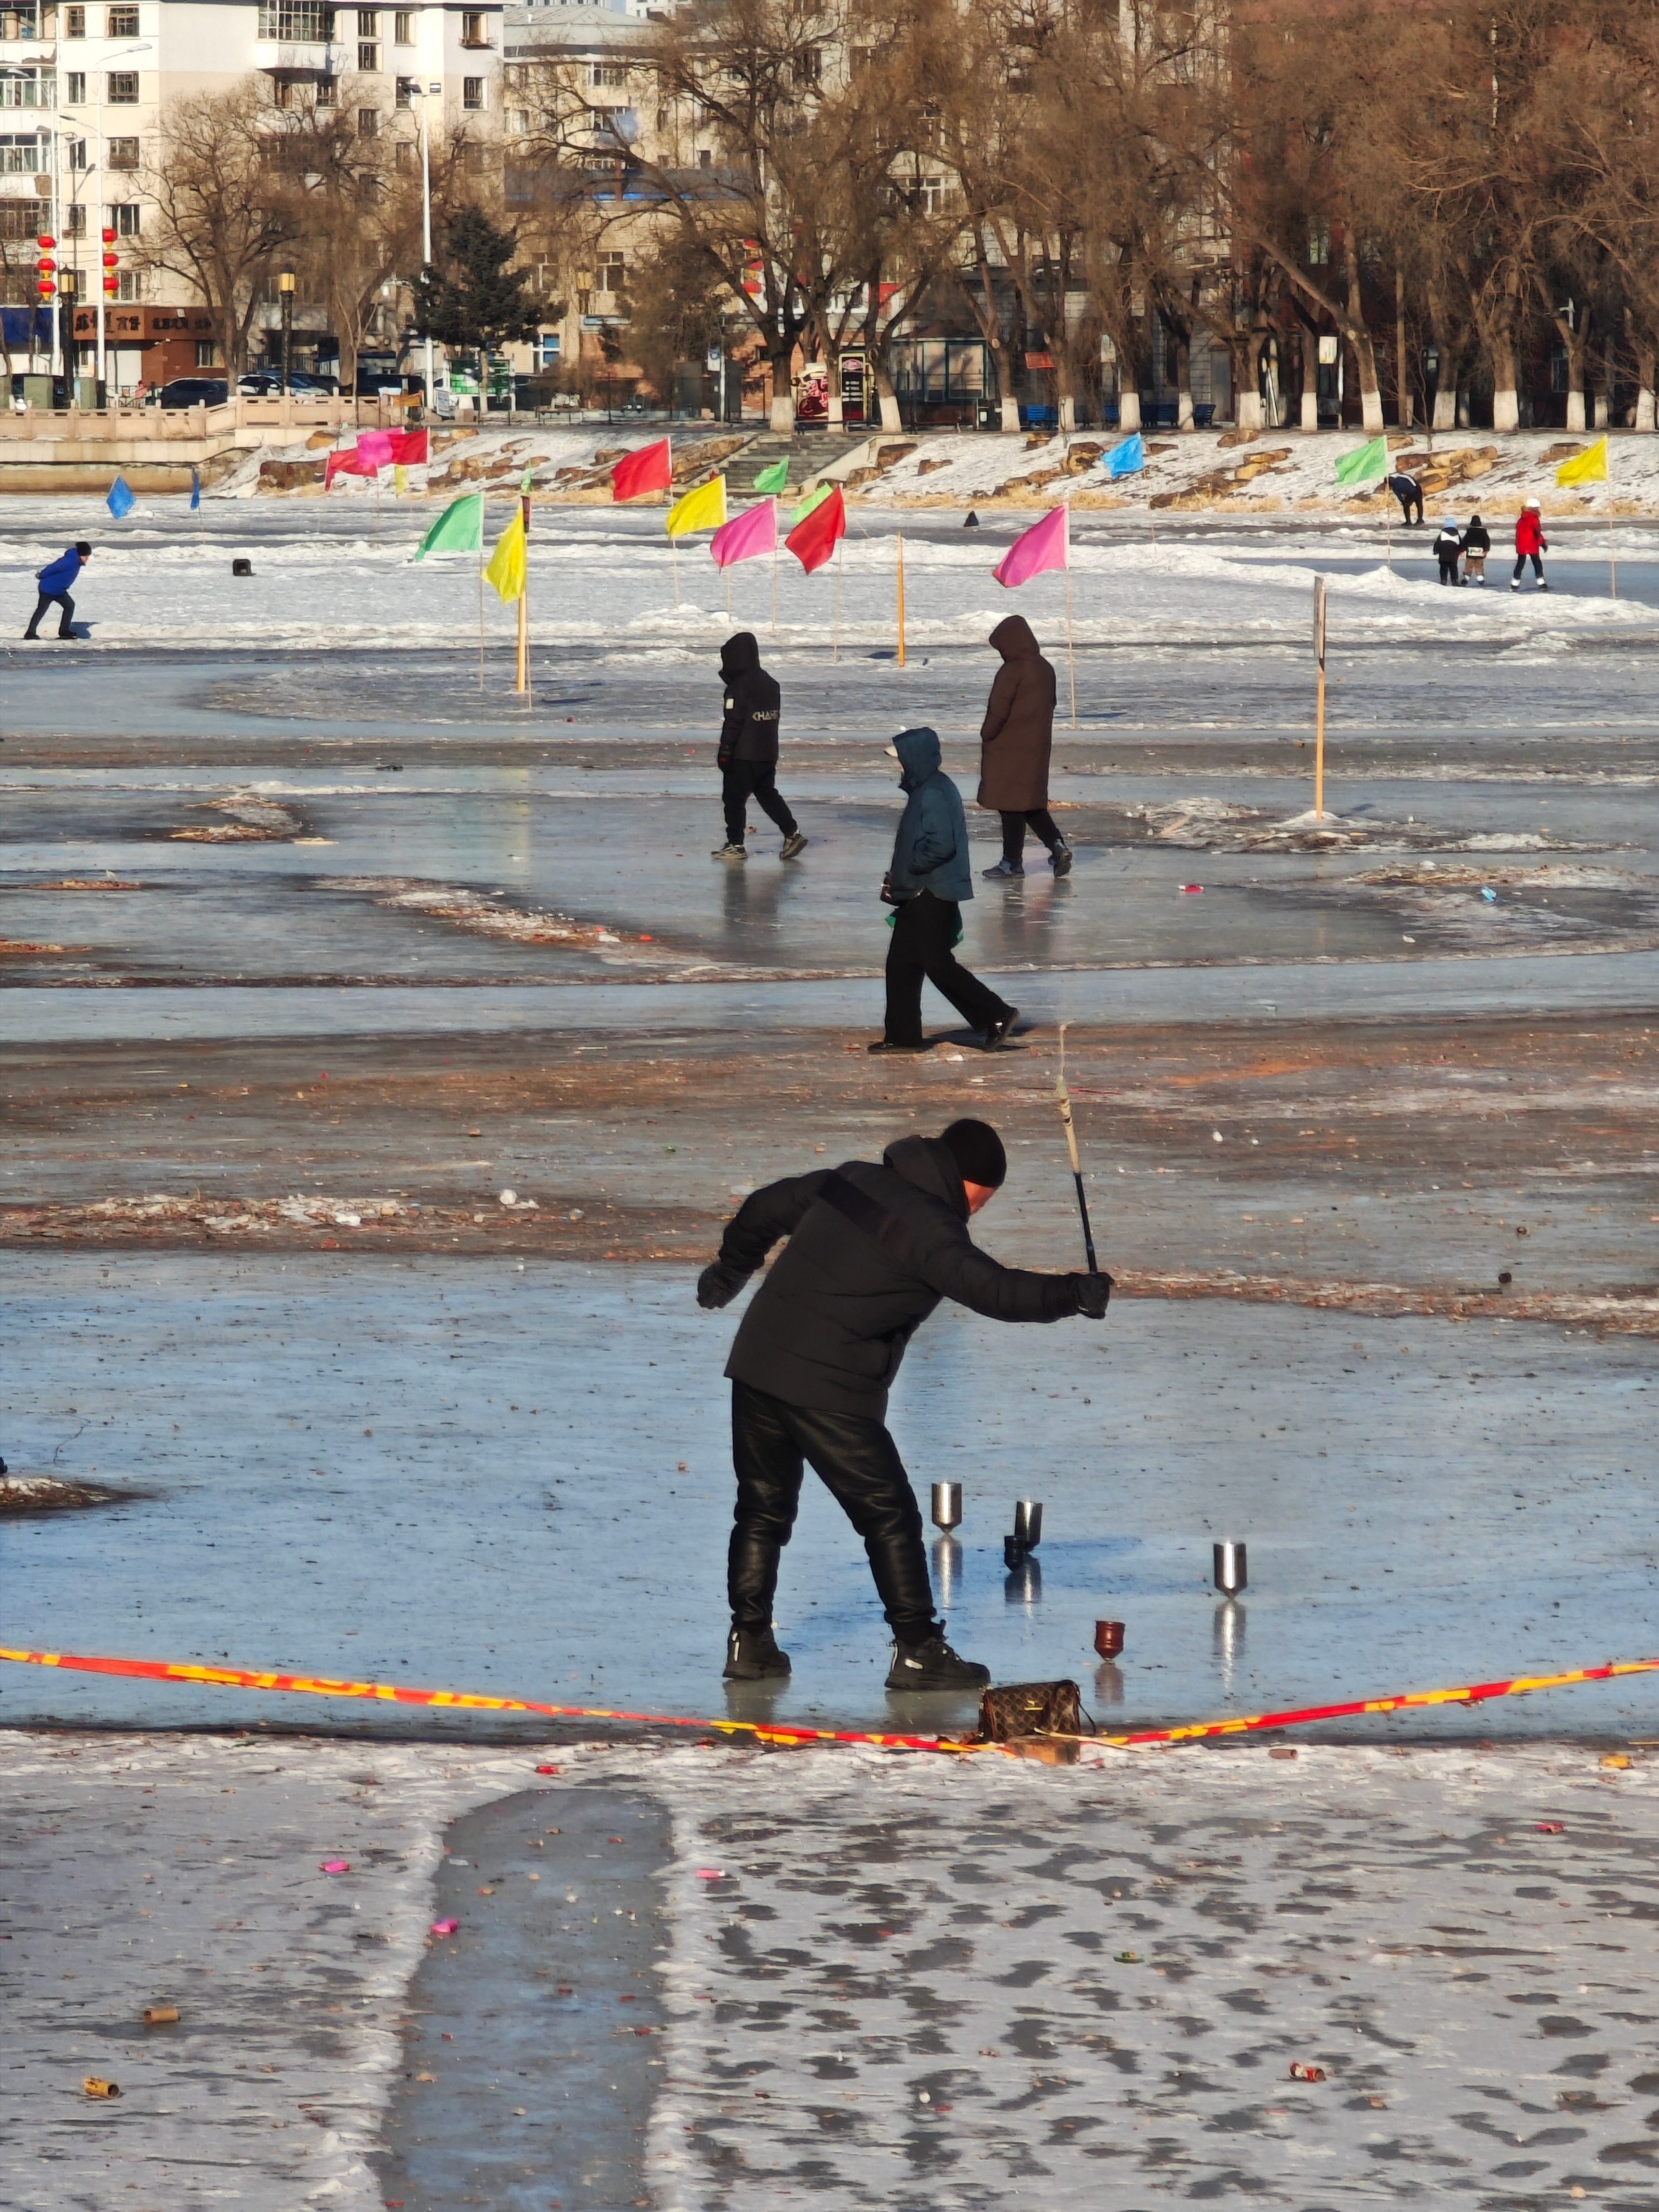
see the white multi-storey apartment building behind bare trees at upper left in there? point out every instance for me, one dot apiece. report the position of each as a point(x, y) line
point(83, 92)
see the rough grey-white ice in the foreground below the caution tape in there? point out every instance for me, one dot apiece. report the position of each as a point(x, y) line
point(946, 1987)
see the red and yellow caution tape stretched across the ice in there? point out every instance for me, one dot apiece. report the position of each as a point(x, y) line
point(236, 1678)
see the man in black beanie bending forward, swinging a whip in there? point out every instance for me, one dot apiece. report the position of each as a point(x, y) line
point(873, 1251)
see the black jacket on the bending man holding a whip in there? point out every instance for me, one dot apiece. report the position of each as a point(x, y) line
point(833, 1319)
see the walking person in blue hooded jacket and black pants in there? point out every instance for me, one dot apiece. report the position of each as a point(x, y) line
point(928, 881)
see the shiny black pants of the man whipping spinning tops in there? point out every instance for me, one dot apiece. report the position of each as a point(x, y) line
point(857, 1461)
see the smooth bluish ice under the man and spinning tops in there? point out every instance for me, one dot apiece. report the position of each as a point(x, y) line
point(519, 1481)
